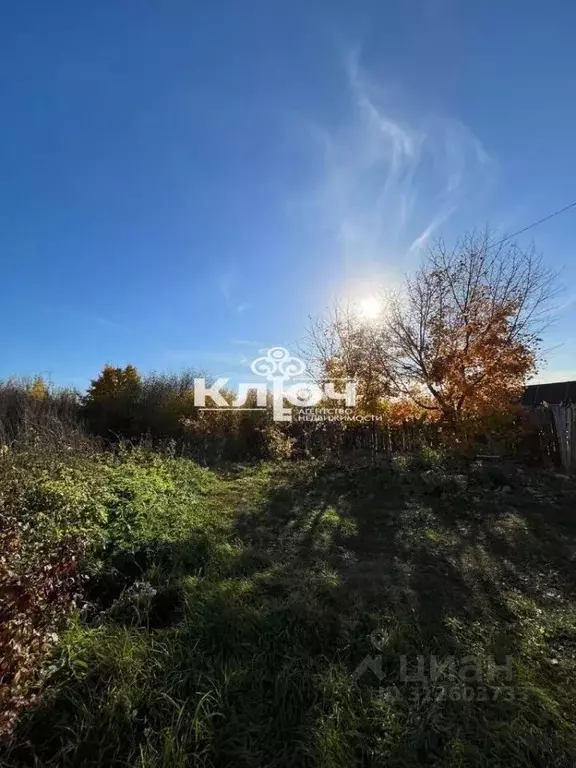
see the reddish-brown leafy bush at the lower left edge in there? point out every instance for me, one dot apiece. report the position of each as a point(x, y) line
point(37, 592)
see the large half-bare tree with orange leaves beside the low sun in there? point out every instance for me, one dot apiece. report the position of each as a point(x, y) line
point(462, 337)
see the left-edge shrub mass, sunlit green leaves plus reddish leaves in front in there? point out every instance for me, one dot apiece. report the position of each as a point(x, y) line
point(66, 518)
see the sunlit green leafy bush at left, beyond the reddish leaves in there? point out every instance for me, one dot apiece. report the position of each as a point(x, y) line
point(109, 501)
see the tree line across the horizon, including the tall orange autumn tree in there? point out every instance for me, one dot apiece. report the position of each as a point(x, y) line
point(449, 354)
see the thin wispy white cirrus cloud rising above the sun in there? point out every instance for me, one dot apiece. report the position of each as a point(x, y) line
point(392, 174)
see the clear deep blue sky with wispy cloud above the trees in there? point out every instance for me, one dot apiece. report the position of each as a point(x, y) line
point(183, 183)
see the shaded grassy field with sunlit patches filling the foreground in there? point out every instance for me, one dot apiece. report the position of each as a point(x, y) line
point(278, 615)
